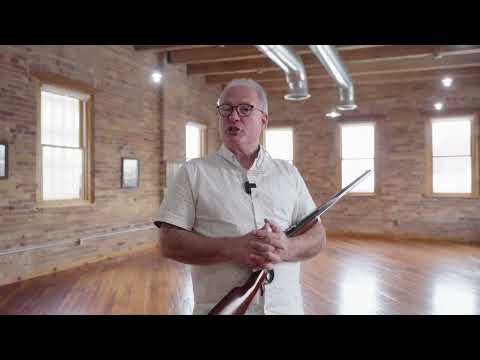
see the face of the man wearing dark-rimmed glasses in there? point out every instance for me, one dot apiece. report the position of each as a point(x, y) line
point(242, 131)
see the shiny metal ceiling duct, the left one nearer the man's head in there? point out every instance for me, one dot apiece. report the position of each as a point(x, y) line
point(292, 64)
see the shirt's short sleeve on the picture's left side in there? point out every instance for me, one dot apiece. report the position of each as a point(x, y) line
point(178, 206)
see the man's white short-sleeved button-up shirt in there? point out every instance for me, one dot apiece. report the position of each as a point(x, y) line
point(208, 197)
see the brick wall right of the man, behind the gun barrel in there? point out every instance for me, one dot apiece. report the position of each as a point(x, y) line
point(399, 209)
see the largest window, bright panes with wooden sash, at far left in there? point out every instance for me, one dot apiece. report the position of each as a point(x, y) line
point(64, 146)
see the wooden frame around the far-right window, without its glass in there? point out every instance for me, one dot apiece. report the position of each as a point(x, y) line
point(474, 149)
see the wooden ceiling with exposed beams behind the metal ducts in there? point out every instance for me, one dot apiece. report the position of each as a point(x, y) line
point(366, 64)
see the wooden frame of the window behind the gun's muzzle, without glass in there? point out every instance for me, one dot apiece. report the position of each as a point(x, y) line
point(376, 146)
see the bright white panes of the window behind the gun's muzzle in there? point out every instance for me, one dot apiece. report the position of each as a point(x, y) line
point(358, 154)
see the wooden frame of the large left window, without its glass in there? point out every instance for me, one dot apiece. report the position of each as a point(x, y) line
point(67, 86)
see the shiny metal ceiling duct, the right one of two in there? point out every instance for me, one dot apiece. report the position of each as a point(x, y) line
point(329, 57)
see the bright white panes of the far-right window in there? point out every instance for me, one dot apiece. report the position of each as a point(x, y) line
point(452, 161)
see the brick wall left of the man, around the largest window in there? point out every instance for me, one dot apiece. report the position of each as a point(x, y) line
point(128, 117)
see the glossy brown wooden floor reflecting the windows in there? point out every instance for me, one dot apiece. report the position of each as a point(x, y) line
point(353, 276)
